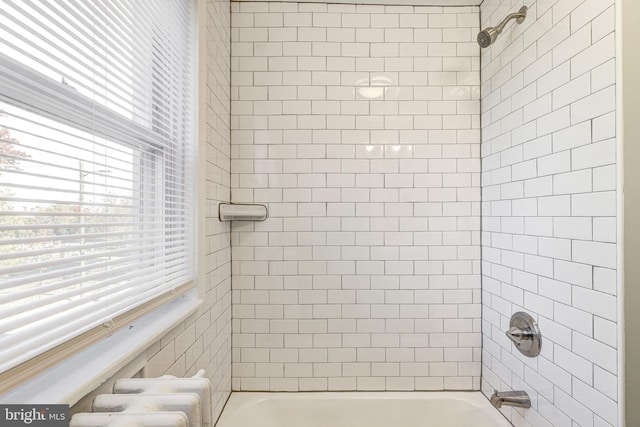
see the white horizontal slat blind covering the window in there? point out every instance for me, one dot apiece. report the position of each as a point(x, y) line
point(96, 139)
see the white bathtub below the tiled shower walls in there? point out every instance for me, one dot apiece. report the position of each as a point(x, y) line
point(362, 409)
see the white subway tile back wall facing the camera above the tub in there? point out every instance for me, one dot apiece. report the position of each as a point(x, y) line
point(359, 127)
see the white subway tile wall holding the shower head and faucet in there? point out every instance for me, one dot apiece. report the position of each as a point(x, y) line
point(549, 208)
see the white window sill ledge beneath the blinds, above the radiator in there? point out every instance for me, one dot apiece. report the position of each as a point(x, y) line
point(69, 381)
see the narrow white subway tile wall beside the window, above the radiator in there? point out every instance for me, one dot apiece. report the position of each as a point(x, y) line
point(204, 340)
